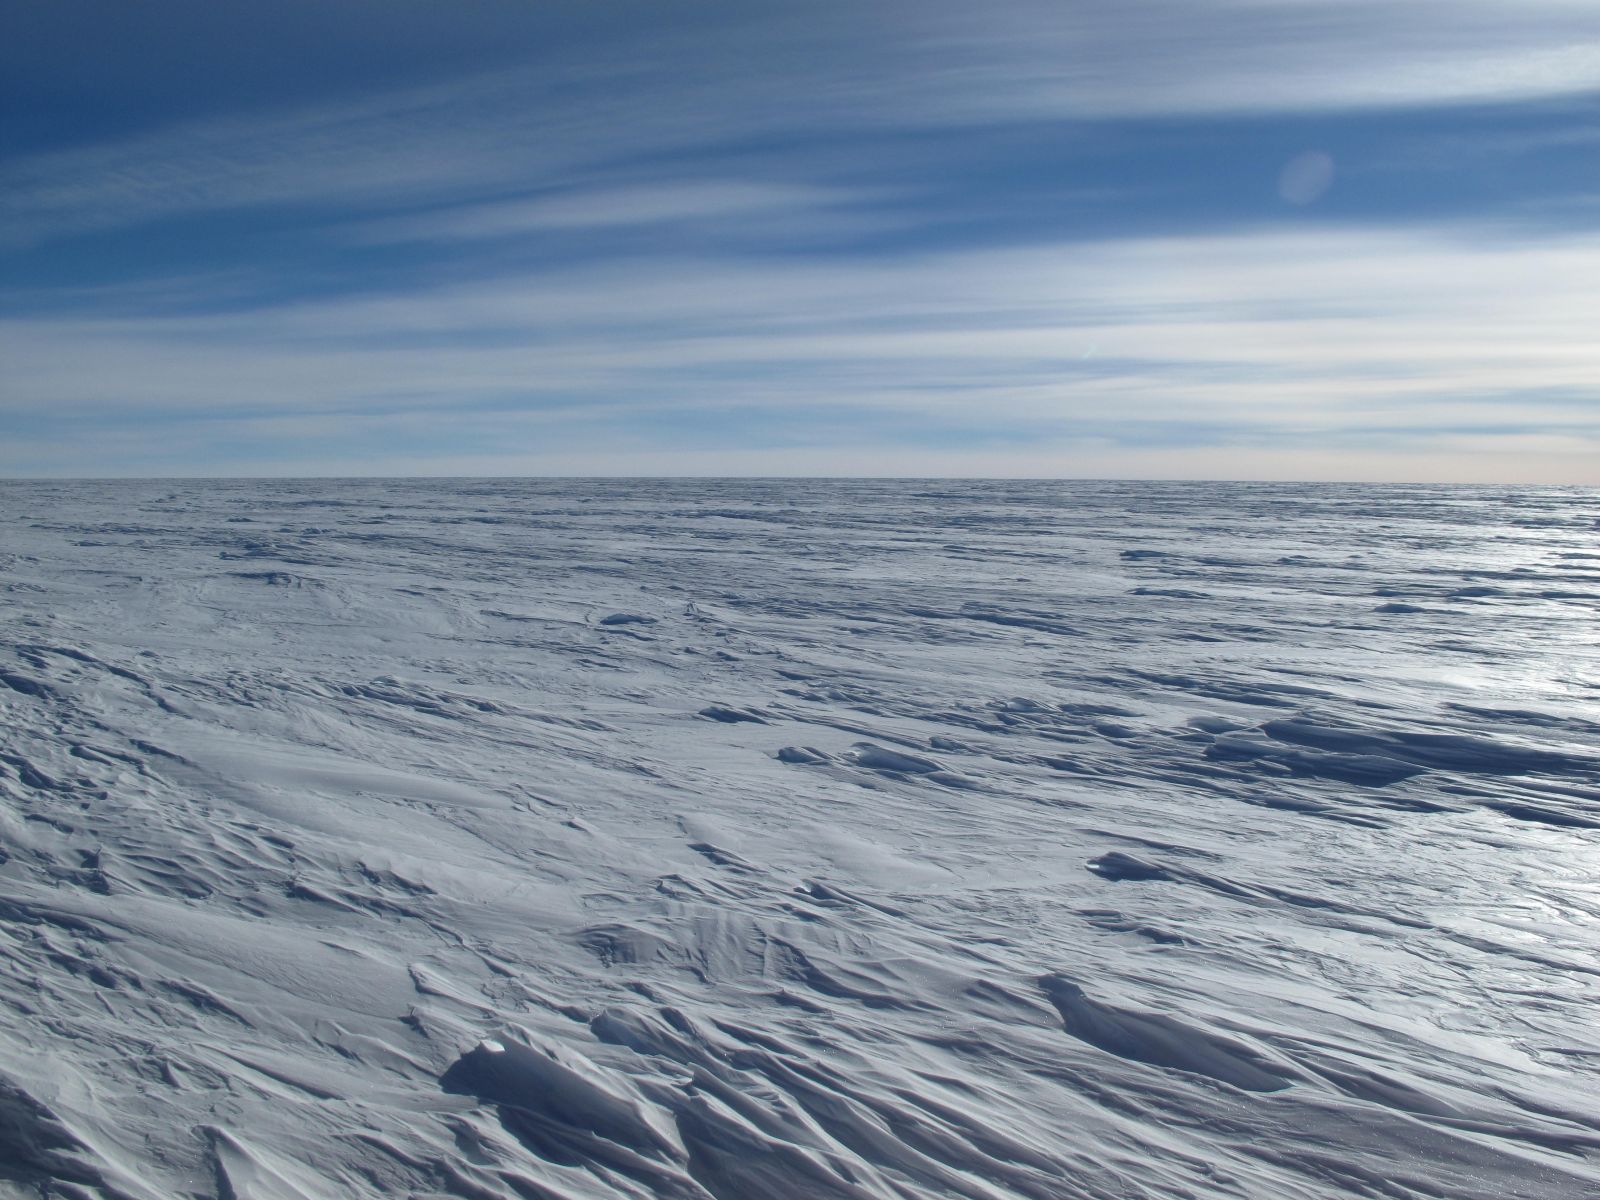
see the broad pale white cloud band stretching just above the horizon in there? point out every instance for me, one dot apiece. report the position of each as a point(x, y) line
point(1214, 342)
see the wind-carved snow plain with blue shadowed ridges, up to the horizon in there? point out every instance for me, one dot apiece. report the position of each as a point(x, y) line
point(815, 841)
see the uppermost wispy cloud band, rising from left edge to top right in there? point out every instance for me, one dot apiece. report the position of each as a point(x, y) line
point(636, 103)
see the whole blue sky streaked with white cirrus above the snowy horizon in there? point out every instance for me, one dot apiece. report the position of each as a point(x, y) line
point(1142, 239)
